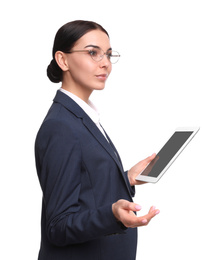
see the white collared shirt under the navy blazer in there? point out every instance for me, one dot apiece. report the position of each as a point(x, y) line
point(90, 109)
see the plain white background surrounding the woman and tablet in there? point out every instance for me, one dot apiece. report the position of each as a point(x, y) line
point(169, 75)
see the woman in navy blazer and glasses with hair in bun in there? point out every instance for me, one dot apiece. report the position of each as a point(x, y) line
point(87, 208)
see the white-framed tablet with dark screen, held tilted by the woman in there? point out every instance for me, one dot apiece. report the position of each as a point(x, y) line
point(166, 156)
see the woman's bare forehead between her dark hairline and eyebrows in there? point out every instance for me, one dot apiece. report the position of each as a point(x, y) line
point(95, 37)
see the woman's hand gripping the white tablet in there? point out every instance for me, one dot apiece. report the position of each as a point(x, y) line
point(139, 167)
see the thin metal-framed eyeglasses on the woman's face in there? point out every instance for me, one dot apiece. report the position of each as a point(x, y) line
point(97, 54)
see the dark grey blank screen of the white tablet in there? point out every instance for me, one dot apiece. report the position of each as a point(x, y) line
point(165, 155)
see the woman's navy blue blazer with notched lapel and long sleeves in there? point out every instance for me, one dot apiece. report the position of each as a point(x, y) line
point(81, 176)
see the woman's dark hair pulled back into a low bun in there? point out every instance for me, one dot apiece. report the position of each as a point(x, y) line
point(65, 39)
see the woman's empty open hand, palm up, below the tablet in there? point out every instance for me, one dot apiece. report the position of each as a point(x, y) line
point(123, 211)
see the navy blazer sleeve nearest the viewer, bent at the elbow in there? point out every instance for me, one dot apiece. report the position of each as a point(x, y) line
point(59, 165)
